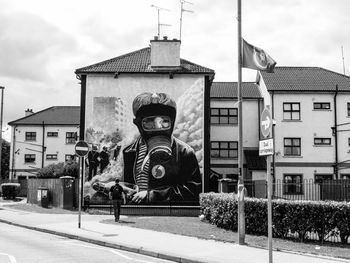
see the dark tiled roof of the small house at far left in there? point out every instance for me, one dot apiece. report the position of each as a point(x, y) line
point(57, 115)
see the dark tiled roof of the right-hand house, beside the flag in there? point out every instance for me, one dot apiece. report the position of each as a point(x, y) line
point(305, 79)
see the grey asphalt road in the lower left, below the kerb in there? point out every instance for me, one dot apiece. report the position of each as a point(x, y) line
point(20, 245)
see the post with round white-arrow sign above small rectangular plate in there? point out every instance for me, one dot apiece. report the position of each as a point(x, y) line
point(266, 149)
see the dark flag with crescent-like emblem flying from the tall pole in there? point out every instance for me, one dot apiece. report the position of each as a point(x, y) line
point(256, 58)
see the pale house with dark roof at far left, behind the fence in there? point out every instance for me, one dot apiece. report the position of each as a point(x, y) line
point(42, 138)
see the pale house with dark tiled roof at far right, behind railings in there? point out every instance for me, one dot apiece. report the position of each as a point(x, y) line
point(311, 107)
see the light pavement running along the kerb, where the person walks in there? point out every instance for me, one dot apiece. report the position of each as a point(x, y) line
point(162, 245)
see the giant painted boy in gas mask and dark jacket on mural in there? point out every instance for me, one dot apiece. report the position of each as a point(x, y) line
point(163, 167)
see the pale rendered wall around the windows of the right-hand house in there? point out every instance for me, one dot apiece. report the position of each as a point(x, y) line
point(312, 123)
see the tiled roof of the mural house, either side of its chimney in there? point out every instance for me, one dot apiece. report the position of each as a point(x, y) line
point(138, 62)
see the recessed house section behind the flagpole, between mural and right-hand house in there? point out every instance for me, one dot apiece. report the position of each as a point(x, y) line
point(224, 132)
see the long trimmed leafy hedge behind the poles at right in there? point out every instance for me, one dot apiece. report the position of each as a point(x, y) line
point(289, 217)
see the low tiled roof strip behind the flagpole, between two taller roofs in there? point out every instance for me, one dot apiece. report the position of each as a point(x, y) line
point(222, 90)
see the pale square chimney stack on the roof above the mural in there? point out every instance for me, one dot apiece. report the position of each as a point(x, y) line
point(165, 54)
